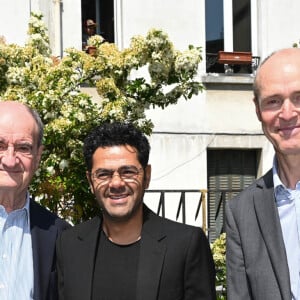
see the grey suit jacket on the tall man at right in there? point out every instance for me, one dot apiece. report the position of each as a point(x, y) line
point(257, 265)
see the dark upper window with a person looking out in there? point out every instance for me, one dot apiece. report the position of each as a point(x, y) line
point(102, 12)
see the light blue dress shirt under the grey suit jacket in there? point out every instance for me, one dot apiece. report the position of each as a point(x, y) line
point(288, 204)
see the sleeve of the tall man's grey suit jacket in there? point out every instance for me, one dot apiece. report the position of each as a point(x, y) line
point(237, 285)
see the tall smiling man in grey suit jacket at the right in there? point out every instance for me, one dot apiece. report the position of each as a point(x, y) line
point(263, 222)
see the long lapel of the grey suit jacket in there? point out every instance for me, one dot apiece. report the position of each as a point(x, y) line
point(269, 223)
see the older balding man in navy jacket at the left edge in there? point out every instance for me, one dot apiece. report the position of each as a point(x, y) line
point(28, 231)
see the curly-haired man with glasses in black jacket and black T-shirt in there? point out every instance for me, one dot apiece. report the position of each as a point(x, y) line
point(129, 253)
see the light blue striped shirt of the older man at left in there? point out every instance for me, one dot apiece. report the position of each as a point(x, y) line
point(16, 262)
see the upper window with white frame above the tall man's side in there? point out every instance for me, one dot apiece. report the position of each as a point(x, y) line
point(228, 28)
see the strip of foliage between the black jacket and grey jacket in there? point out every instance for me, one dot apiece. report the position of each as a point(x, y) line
point(218, 248)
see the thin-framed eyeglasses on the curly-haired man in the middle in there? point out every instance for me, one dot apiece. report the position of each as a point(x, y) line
point(126, 173)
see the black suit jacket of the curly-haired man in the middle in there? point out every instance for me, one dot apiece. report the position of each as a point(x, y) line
point(175, 261)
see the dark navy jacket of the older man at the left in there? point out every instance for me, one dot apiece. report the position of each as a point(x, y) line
point(45, 228)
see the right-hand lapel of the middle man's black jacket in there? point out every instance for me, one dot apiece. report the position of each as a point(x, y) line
point(151, 260)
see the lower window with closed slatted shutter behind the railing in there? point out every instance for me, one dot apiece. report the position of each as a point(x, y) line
point(228, 171)
